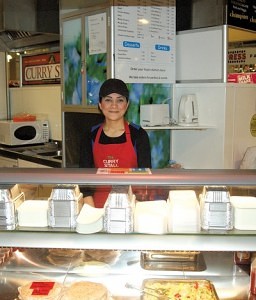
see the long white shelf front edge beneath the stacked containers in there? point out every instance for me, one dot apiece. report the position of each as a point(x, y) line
point(174, 242)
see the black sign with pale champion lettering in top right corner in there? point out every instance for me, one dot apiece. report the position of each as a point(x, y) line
point(242, 13)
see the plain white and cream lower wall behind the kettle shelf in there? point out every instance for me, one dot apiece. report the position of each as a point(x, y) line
point(226, 107)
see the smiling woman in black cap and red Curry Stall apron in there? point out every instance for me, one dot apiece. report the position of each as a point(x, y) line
point(115, 143)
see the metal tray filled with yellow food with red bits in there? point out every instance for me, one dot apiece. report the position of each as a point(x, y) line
point(166, 289)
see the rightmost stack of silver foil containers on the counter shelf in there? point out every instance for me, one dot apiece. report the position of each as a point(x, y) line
point(216, 208)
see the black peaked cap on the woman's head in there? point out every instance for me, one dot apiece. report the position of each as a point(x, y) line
point(113, 85)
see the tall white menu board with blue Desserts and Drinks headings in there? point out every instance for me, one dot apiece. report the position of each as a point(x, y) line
point(144, 35)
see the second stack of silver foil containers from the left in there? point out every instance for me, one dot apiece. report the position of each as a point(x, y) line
point(64, 205)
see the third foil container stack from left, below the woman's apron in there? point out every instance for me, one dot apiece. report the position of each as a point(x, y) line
point(119, 210)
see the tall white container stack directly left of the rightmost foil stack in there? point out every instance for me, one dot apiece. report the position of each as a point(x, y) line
point(184, 210)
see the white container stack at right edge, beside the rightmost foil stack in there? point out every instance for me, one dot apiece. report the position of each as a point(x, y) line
point(244, 212)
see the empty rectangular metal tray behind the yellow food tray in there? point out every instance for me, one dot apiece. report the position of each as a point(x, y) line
point(172, 261)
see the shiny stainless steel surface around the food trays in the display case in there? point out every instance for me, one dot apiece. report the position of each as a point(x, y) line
point(230, 281)
